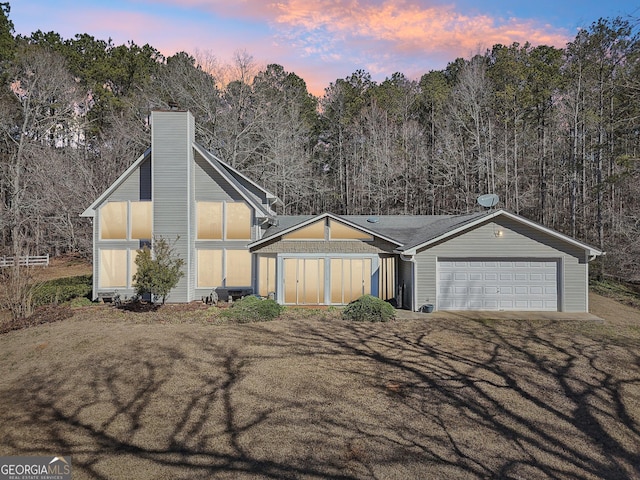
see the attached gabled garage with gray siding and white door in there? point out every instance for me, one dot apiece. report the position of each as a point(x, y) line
point(499, 261)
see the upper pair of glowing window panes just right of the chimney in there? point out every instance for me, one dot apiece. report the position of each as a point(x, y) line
point(218, 221)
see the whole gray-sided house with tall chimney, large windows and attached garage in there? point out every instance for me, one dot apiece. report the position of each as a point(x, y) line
point(226, 229)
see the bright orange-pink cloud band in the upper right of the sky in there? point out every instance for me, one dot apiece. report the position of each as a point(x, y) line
point(411, 26)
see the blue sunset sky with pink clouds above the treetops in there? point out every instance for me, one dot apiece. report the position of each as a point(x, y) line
point(323, 40)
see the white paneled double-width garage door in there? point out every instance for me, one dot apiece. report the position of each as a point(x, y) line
point(497, 284)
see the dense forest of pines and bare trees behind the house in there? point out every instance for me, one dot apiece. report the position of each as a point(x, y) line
point(555, 132)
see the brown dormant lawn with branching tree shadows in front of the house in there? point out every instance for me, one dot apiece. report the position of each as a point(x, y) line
point(152, 396)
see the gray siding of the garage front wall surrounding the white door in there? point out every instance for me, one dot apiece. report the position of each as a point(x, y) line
point(517, 241)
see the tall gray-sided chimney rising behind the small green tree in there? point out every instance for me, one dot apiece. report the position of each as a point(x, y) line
point(172, 153)
